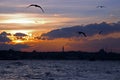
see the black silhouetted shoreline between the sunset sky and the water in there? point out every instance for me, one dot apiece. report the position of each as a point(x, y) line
point(70, 55)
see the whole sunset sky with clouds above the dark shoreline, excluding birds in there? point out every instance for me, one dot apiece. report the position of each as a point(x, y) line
point(29, 29)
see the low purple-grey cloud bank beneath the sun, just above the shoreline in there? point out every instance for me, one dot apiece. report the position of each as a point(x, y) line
point(14, 47)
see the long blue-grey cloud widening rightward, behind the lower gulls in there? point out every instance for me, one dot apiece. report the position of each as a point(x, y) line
point(90, 30)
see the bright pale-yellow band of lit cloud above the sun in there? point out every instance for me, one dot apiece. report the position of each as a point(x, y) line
point(22, 19)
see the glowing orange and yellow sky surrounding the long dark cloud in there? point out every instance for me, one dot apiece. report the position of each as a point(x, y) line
point(33, 26)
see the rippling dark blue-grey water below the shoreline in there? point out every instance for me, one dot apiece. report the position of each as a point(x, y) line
point(59, 70)
